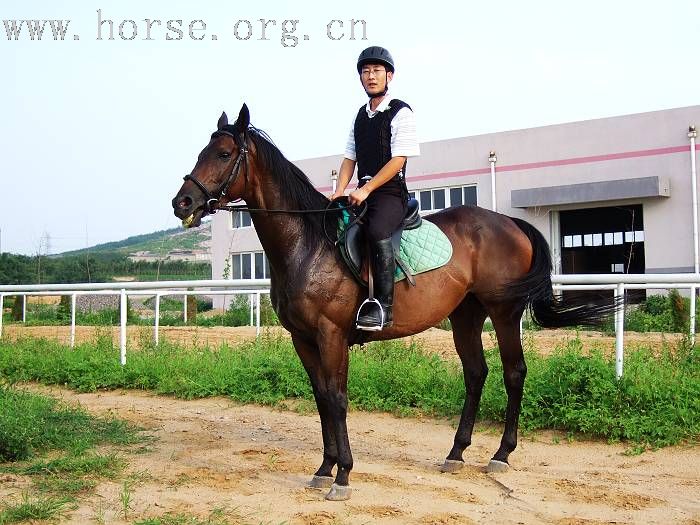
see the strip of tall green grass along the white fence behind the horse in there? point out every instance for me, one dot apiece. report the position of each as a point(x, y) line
point(657, 403)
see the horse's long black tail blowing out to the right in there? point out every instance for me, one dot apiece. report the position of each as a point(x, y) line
point(534, 290)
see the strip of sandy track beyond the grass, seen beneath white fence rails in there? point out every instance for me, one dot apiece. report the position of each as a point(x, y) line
point(433, 340)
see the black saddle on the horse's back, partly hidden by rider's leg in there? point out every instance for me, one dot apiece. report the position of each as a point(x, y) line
point(352, 244)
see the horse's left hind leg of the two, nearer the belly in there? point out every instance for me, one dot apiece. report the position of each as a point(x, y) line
point(467, 322)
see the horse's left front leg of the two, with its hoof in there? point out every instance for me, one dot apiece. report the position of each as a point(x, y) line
point(311, 359)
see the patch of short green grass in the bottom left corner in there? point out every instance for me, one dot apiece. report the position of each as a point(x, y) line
point(53, 444)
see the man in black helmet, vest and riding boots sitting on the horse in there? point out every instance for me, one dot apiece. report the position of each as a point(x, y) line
point(383, 135)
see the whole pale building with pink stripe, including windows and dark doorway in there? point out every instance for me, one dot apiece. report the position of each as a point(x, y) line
point(610, 195)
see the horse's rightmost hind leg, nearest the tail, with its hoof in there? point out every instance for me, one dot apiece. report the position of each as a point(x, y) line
point(506, 321)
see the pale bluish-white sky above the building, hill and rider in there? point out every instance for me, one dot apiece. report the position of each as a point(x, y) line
point(96, 133)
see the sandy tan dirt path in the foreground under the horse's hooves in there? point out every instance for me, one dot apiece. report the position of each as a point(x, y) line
point(255, 462)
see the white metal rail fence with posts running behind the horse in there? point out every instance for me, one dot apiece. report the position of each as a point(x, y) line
point(255, 287)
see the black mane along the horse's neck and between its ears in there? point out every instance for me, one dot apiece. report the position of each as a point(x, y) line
point(296, 190)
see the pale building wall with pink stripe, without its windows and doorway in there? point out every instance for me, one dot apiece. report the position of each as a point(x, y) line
point(625, 147)
